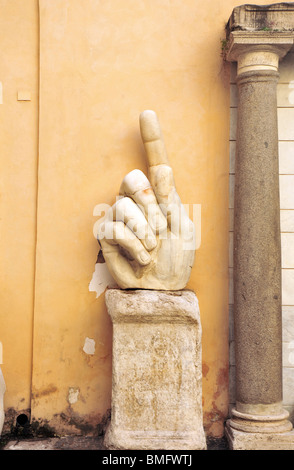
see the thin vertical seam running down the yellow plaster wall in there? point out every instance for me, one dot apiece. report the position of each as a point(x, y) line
point(37, 197)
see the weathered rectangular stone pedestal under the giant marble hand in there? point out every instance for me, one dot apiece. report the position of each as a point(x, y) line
point(157, 371)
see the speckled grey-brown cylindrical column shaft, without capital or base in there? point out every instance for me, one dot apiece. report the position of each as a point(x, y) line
point(257, 263)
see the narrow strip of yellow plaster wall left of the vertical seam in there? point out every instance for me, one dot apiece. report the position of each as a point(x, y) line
point(18, 191)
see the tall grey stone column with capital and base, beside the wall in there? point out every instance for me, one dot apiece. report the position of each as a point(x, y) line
point(258, 419)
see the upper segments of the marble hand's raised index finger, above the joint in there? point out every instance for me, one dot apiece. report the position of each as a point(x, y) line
point(152, 139)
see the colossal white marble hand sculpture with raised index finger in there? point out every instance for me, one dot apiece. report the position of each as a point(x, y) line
point(147, 238)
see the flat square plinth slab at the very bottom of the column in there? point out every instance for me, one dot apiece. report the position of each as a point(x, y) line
point(239, 440)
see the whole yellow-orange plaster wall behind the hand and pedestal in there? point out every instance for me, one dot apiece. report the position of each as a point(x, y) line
point(101, 63)
